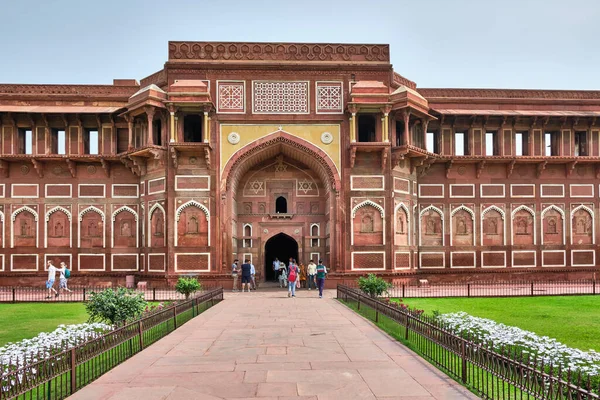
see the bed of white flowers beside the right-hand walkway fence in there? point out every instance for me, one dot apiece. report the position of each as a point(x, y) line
point(504, 337)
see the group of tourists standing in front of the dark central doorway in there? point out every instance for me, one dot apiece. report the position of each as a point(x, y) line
point(292, 276)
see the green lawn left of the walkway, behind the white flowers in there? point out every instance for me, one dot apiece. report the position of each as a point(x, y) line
point(24, 321)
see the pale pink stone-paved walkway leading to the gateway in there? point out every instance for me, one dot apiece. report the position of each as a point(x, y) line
point(264, 345)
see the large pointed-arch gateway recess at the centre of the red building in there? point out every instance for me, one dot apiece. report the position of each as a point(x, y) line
point(280, 201)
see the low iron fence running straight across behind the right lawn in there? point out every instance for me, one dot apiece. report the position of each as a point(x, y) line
point(494, 289)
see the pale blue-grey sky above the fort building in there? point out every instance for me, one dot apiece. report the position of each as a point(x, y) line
point(522, 44)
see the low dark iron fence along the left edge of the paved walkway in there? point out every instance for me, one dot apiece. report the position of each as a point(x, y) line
point(65, 371)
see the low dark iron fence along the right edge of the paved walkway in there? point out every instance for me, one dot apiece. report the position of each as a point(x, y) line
point(488, 371)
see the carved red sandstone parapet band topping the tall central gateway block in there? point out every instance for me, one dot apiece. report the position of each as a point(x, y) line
point(257, 52)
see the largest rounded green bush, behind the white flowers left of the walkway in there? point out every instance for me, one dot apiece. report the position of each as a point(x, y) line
point(115, 306)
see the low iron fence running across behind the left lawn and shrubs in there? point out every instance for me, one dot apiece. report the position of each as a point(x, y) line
point(82, 293)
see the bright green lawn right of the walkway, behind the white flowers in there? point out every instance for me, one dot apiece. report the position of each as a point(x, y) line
point(572, 320)
